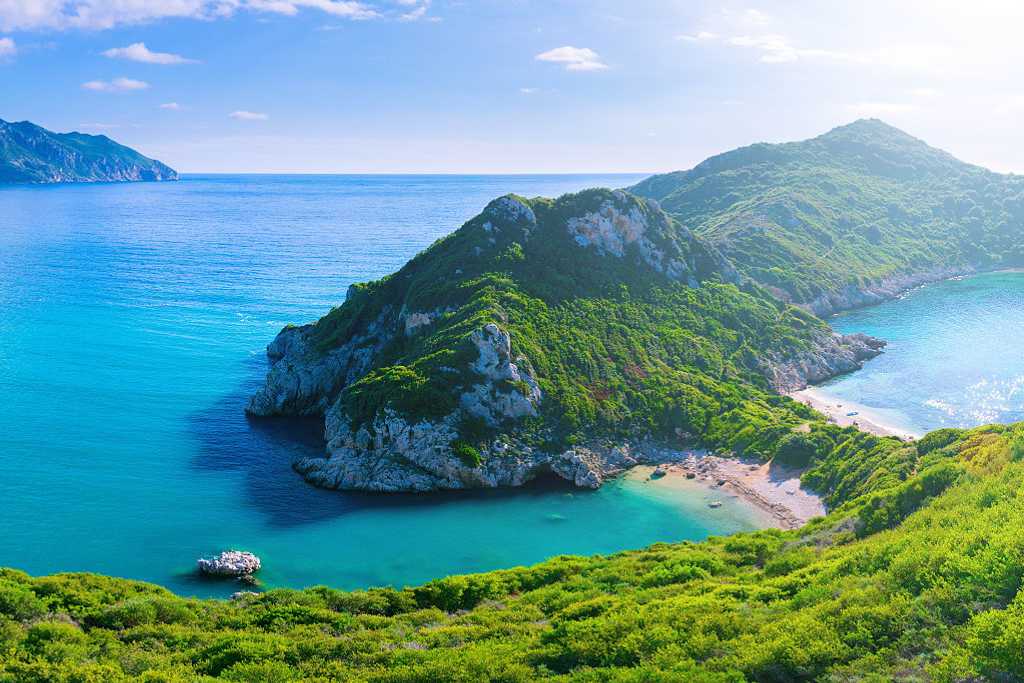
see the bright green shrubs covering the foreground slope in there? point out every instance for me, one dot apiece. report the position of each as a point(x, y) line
point(915, 576)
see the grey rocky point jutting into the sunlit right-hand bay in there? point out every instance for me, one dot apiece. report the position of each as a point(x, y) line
point(829, 356)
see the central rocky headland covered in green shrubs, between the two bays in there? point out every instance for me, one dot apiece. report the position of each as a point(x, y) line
point(573, 337)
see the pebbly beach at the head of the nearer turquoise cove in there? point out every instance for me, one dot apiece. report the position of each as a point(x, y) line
point(775, 491)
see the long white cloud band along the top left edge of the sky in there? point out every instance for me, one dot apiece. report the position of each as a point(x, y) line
point(62, 15)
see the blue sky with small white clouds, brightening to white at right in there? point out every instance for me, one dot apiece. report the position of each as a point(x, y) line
point(508, 87)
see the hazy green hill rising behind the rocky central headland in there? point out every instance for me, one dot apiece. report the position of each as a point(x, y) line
point(849, 218)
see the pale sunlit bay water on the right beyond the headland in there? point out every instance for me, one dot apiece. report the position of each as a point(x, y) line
point(955, 357)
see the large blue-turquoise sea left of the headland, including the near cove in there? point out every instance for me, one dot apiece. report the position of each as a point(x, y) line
point(134, 321)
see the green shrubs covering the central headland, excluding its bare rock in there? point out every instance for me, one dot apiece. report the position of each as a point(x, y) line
point(619, 350)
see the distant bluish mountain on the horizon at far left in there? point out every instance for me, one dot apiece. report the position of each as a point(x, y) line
point(32, 154)
